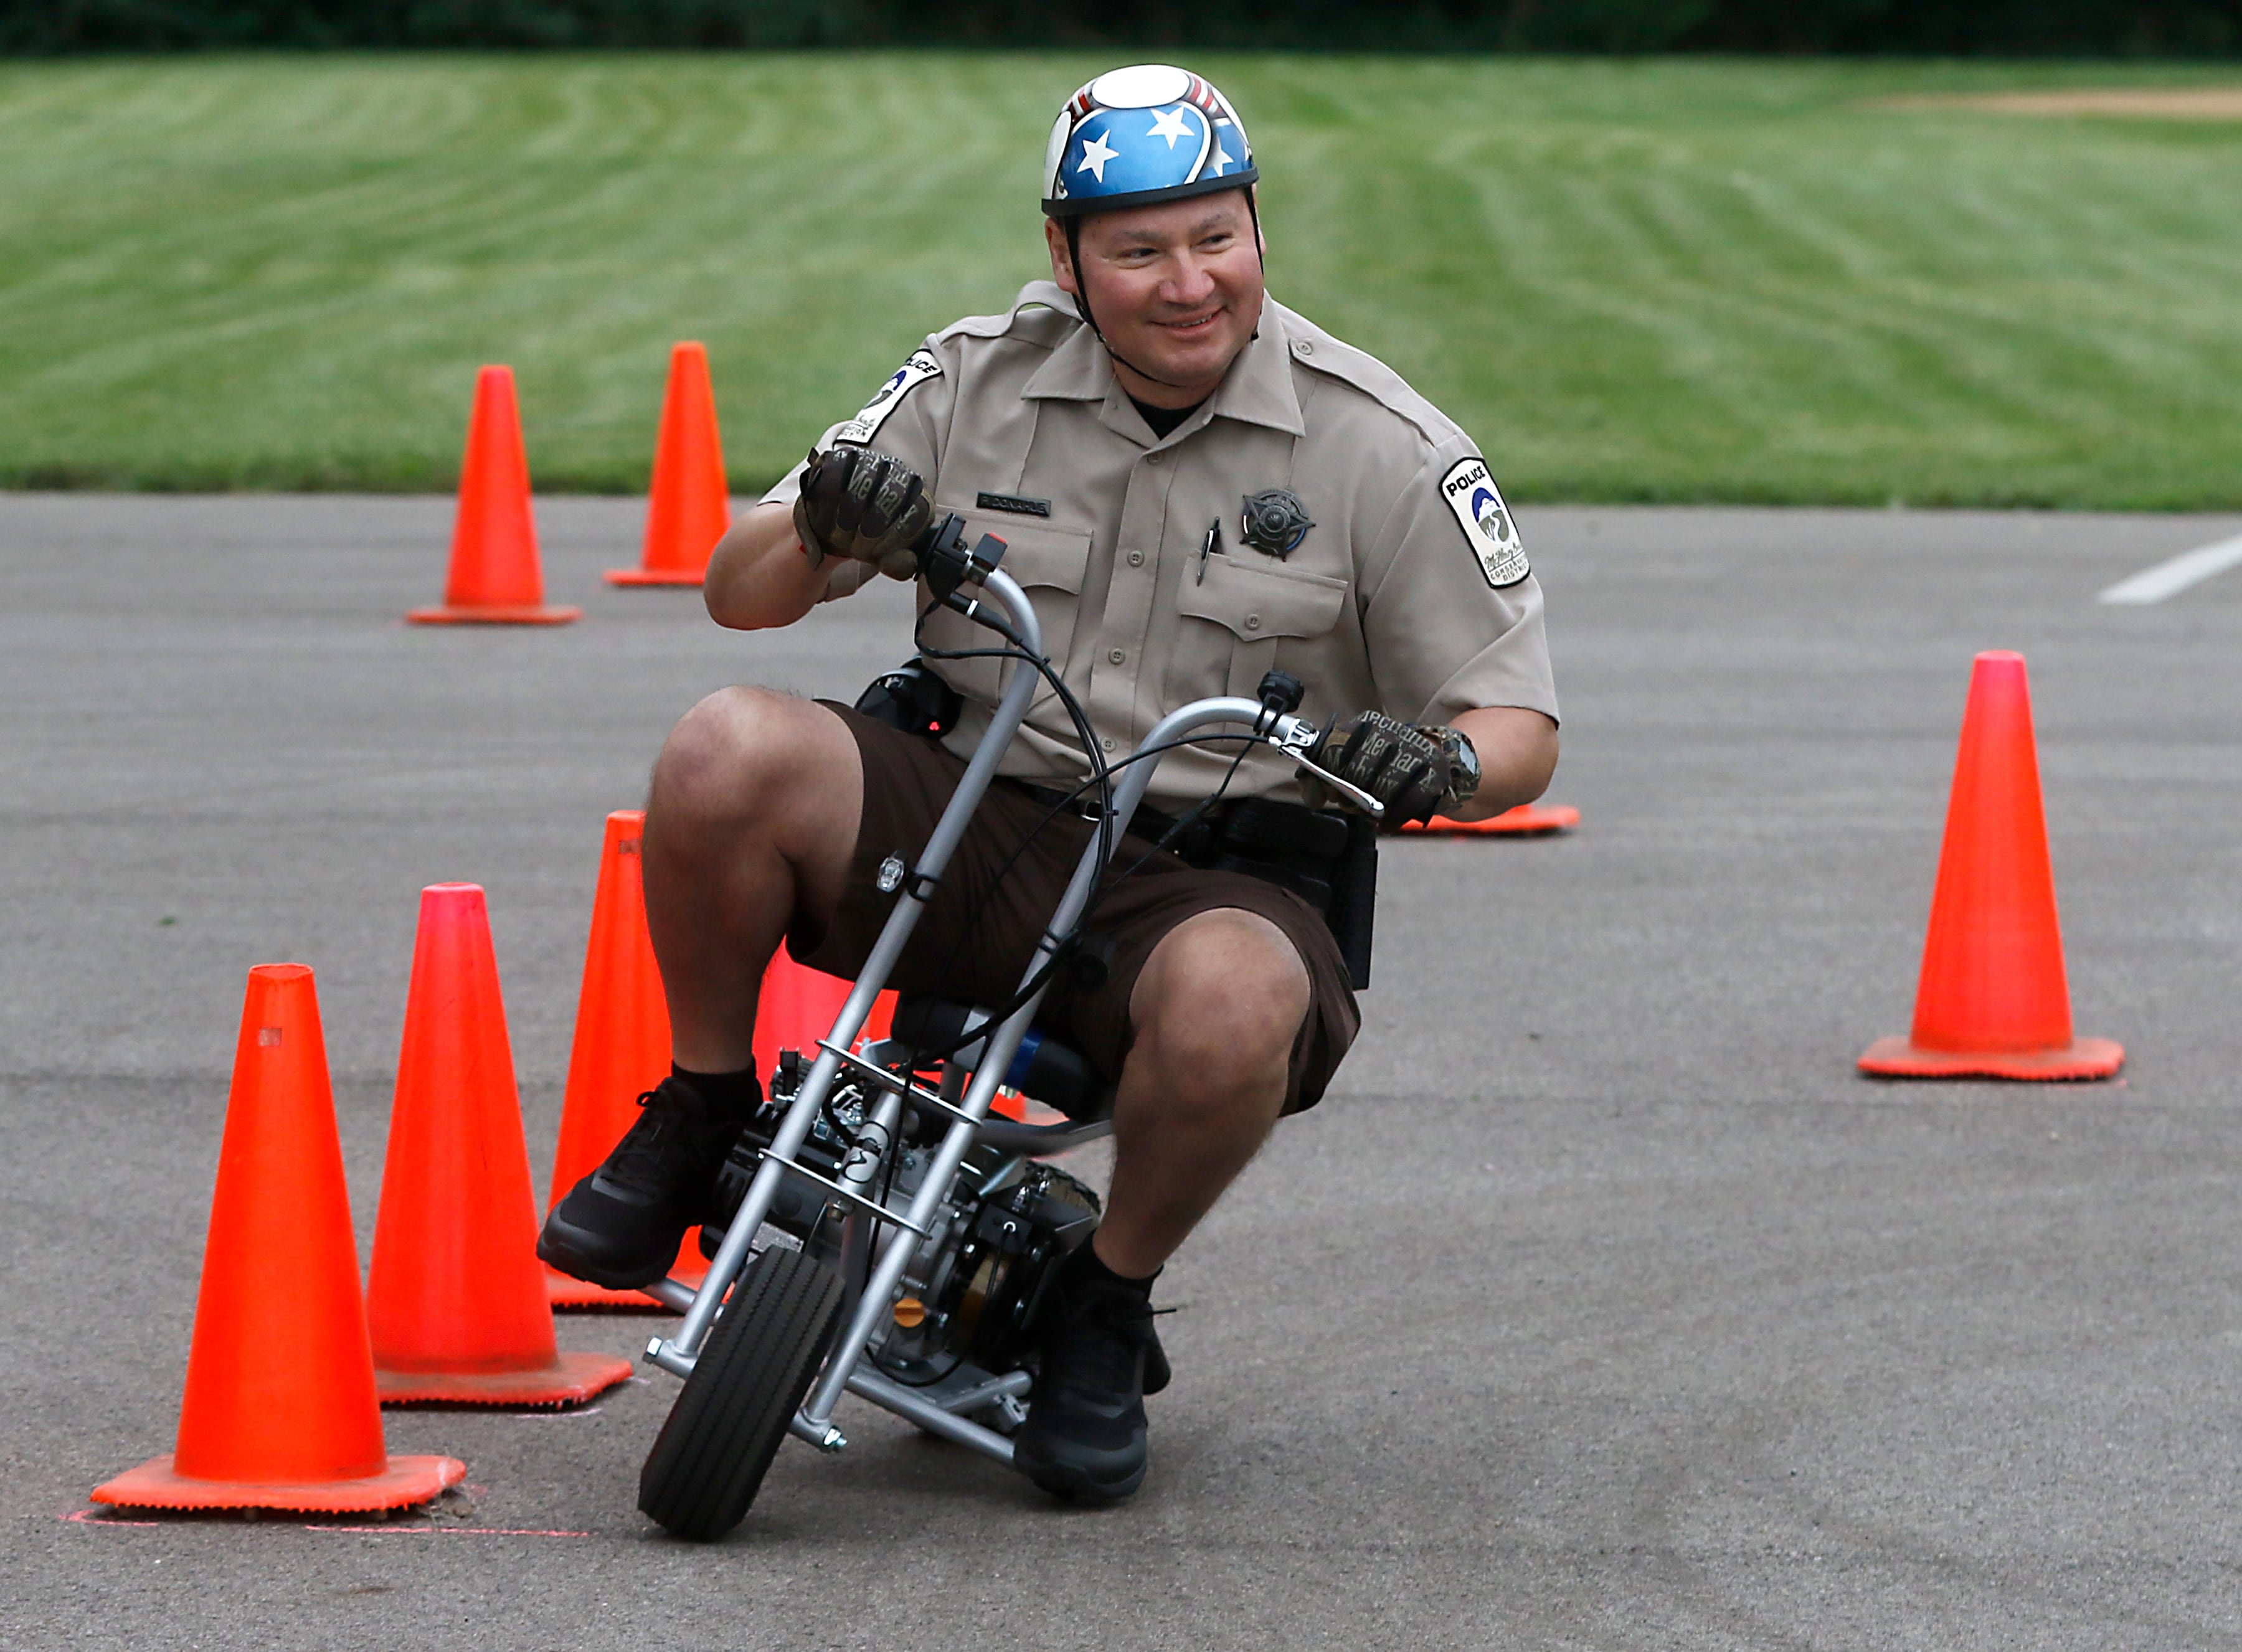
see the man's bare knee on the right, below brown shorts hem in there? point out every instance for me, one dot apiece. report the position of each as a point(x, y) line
point(1223, 1001)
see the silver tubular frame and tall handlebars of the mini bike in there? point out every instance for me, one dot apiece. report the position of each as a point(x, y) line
point(896, 1232)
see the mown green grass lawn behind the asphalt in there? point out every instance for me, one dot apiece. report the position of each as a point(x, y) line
point(1631, 281)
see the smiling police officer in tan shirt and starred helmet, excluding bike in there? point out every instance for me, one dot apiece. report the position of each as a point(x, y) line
point(1196, 485)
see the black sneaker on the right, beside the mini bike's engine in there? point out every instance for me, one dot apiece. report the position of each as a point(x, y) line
point(1086, 1433)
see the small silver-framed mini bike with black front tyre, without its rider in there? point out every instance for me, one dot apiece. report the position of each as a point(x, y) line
point(911, 1234)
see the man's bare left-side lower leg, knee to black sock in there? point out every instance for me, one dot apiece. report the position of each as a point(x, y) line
point(750, 826)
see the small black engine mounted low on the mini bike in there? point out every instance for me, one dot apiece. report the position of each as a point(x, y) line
point(972, 1290)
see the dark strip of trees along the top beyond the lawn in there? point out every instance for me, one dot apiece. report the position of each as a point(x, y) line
point(1916, 28)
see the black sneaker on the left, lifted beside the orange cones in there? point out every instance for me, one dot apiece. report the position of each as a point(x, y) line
point(622, 1225)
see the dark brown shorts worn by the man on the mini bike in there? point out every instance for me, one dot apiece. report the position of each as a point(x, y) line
point(981, 929)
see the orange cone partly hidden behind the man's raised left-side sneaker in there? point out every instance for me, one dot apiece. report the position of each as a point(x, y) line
point(622, 1050)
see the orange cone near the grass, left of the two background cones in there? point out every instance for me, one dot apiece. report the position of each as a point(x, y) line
point(494, 541)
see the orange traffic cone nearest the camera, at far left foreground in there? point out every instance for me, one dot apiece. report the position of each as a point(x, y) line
point(279, 1404)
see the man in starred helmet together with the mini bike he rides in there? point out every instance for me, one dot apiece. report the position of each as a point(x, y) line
point(1088, 833)
